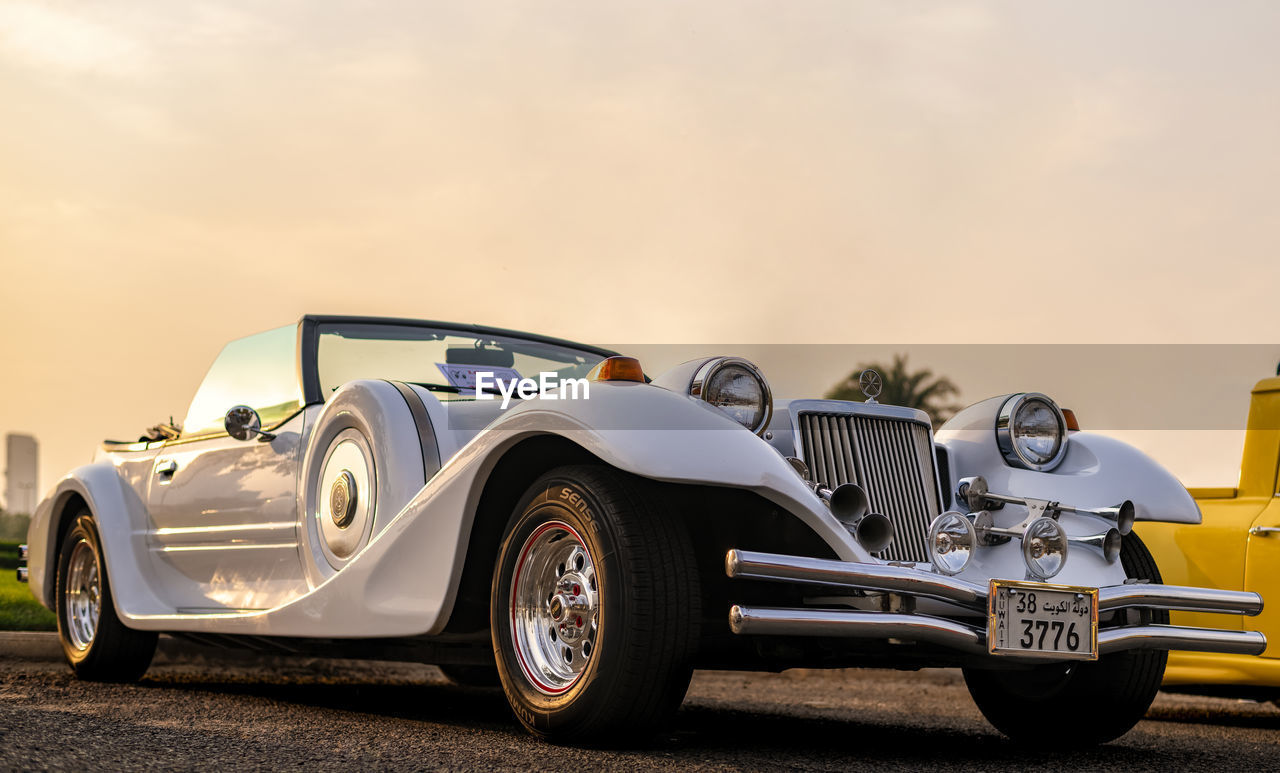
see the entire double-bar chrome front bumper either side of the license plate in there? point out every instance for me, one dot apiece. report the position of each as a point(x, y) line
point(959, 635)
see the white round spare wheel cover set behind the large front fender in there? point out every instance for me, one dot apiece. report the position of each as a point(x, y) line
point(363, 465)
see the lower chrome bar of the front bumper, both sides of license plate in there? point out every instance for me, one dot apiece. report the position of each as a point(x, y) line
point(844, 624)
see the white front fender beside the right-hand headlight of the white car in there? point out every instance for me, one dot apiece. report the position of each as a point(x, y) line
point(1098, 470)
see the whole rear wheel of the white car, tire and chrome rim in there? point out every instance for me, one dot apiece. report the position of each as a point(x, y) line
point(97, 644)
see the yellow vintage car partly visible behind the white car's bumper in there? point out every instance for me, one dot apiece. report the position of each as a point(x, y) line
point(1236, 548)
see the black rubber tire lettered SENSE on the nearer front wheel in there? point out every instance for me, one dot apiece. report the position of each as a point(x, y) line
point(648, 607)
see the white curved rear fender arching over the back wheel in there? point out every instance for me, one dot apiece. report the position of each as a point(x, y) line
point(116, 509)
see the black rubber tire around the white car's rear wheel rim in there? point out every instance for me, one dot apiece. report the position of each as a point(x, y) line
point(113, 653)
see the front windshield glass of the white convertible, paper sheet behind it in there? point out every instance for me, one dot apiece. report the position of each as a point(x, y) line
point(440, 359)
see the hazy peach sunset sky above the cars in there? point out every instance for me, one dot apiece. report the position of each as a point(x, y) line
point(179, 175)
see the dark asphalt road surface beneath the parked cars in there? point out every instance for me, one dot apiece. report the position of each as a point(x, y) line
point(327, 715)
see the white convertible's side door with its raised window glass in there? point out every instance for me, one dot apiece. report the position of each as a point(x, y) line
point(223, 513)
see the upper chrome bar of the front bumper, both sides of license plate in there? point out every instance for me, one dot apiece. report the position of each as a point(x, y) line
point(915, 583)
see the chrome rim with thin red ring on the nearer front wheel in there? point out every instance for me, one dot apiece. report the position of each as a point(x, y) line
point(555, 609)
